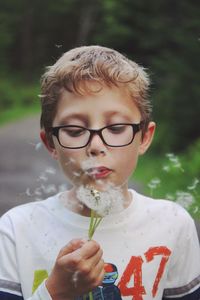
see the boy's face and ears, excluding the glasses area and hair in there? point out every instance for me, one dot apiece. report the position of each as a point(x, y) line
point(97, 164)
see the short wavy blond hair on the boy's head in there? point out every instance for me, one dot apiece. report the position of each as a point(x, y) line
point(78, 67)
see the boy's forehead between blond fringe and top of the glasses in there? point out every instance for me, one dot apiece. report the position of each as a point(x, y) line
point(104, 102)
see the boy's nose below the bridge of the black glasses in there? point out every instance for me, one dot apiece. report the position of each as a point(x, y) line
point(96, 146)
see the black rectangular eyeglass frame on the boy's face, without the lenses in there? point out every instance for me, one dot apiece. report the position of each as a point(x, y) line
point(136, 128)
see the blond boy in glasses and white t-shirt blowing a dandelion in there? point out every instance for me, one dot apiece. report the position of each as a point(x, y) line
point(96, 122)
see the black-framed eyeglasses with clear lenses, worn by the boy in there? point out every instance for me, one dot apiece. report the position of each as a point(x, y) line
point(114, 135)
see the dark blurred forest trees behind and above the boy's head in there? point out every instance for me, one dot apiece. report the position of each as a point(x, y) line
point(161, 35)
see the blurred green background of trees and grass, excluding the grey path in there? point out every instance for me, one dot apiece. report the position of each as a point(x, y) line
point(163, 36)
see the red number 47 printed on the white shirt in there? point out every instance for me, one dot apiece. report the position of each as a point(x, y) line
point(134, 268)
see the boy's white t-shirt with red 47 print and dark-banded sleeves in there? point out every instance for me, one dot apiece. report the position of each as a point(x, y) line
point(151, 250)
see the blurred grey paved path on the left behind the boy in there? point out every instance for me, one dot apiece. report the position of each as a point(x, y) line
point(27, 171)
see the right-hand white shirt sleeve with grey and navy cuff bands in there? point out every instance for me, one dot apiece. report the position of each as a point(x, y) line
point(184, 271)
